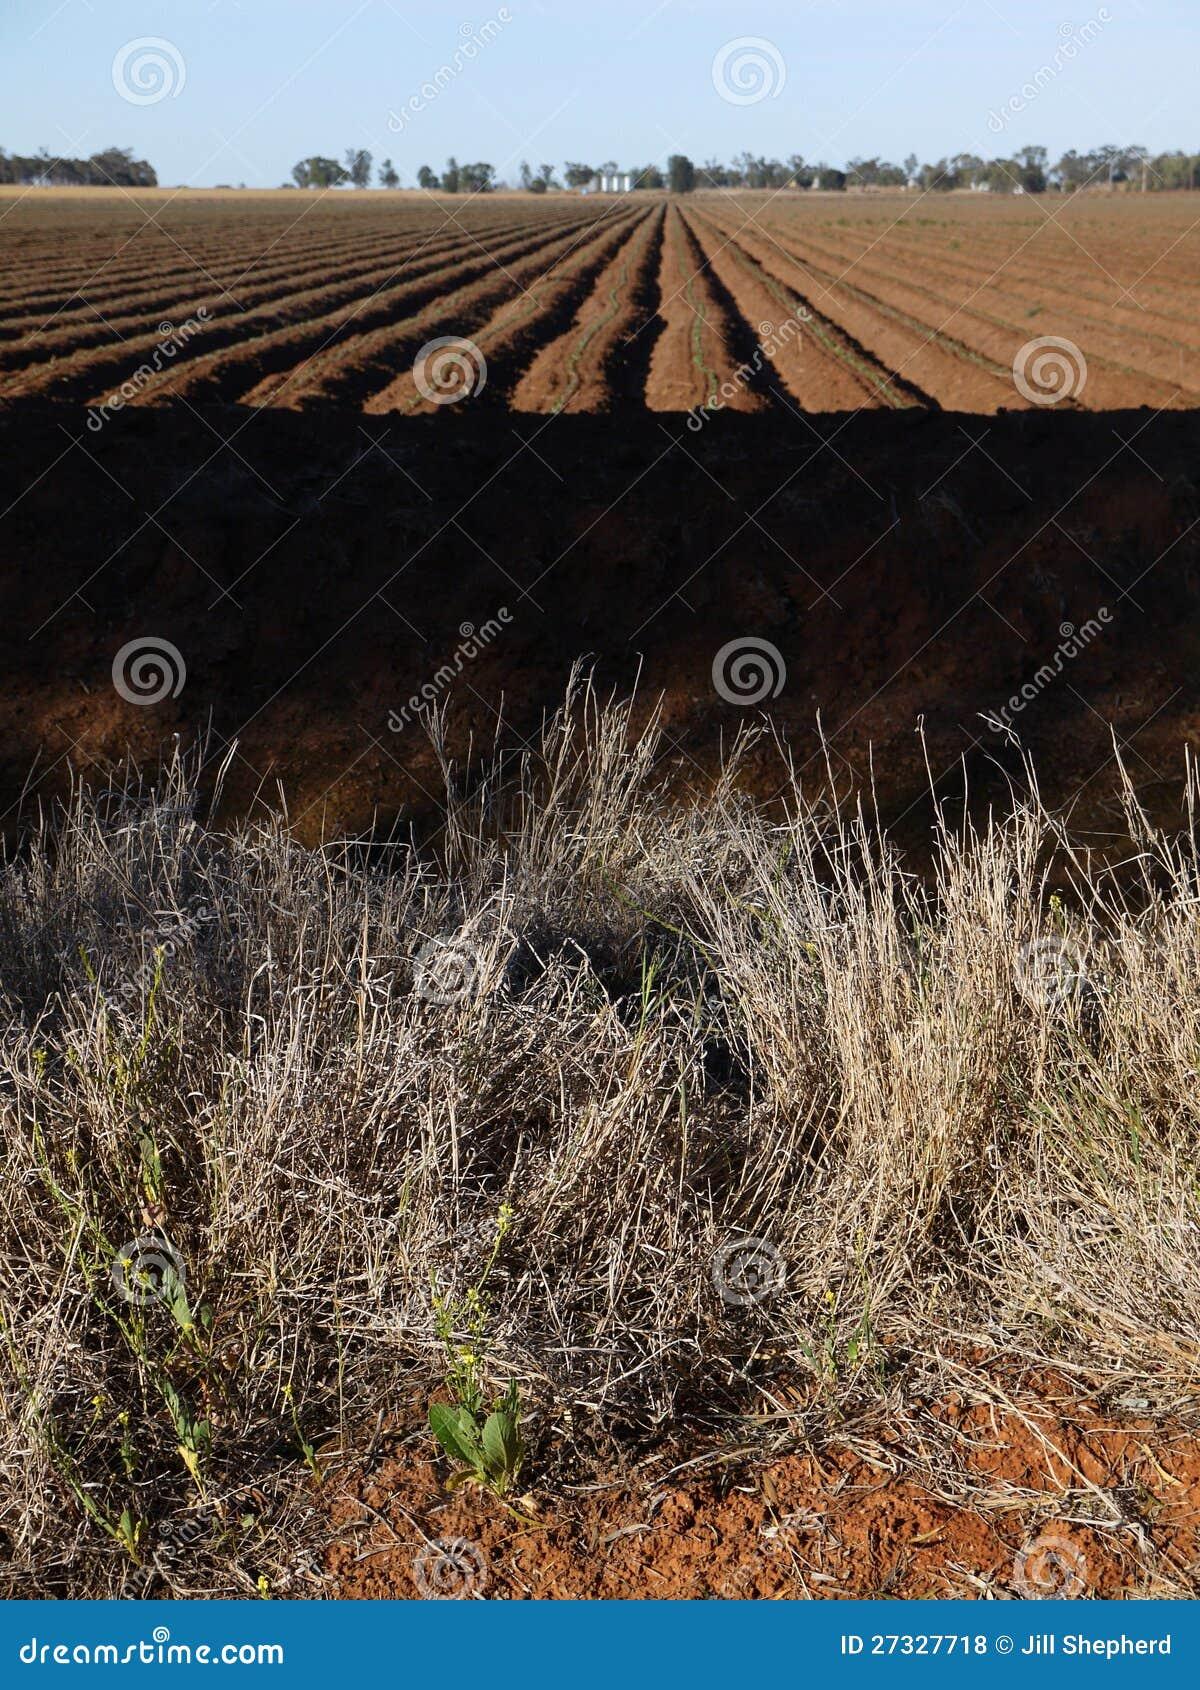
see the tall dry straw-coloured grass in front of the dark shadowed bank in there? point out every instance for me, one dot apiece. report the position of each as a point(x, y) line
point(954, 1113)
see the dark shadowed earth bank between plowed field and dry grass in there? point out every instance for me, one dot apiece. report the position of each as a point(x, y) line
point(986, 579)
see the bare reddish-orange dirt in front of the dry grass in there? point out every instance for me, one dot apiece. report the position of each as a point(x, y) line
point(858, 1513)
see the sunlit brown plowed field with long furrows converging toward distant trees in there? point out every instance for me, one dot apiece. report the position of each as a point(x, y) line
point(745, 302)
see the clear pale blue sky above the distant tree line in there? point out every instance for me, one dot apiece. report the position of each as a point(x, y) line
point(254, 85)
